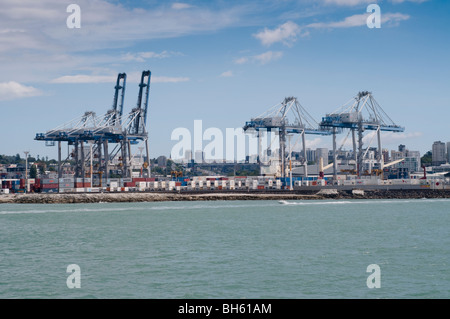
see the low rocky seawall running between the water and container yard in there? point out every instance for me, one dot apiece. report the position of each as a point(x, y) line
point(213, 196)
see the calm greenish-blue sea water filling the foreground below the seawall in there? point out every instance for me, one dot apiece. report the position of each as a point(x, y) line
point(227, 249)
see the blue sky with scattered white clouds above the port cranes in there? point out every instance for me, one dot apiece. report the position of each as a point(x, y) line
point(222, 62)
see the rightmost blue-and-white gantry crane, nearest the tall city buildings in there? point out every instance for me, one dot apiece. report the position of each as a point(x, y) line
point(361, 113)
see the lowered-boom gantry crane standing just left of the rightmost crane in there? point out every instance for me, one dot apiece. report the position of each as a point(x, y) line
point(287, 117)
